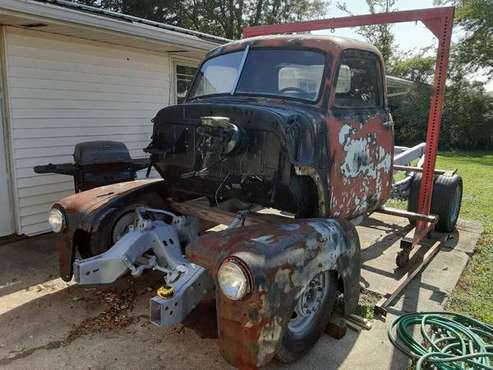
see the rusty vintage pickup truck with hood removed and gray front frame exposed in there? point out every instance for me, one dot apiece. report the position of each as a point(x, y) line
point(299, 124)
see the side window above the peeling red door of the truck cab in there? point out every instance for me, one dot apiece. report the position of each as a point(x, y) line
point(359, 81)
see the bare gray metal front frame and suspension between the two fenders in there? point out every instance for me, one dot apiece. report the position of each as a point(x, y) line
point(190, 282)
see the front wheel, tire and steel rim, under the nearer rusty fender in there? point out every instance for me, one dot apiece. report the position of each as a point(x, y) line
point(310, 317)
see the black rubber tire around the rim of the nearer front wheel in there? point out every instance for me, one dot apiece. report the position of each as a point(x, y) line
point(295, 344)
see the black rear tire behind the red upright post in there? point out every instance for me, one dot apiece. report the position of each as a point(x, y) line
point(445, 202)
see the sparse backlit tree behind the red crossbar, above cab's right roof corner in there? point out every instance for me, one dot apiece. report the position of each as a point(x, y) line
point(379, 35)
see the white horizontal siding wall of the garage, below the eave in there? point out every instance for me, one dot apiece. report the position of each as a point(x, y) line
point(64, 90)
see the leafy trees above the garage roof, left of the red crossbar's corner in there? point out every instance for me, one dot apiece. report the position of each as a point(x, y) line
point(225, 18)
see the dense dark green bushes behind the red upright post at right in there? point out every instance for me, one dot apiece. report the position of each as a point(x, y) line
point(467, 119)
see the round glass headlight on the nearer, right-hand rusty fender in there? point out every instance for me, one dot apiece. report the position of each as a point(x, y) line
point(233, 280)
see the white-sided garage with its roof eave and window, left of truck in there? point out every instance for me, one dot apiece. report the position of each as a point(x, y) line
point(71, 75)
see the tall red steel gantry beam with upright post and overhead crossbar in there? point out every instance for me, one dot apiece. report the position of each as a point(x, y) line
point(439, 21)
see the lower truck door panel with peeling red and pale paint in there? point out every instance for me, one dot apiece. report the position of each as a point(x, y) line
point(361, 152)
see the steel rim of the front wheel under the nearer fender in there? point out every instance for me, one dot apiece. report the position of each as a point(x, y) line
point(309, 304)
